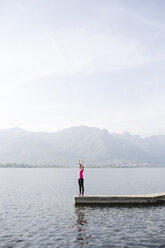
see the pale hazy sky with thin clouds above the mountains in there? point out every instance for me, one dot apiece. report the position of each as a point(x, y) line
point(98, 63)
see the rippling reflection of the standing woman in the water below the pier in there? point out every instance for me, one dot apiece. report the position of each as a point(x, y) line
point(82, 236)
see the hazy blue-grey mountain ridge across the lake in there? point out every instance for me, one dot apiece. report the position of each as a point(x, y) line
point(95, 146)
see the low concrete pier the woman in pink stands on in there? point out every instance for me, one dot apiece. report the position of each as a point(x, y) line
point(119, 200)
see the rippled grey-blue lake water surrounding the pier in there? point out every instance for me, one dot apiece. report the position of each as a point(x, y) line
point(37, 209)
